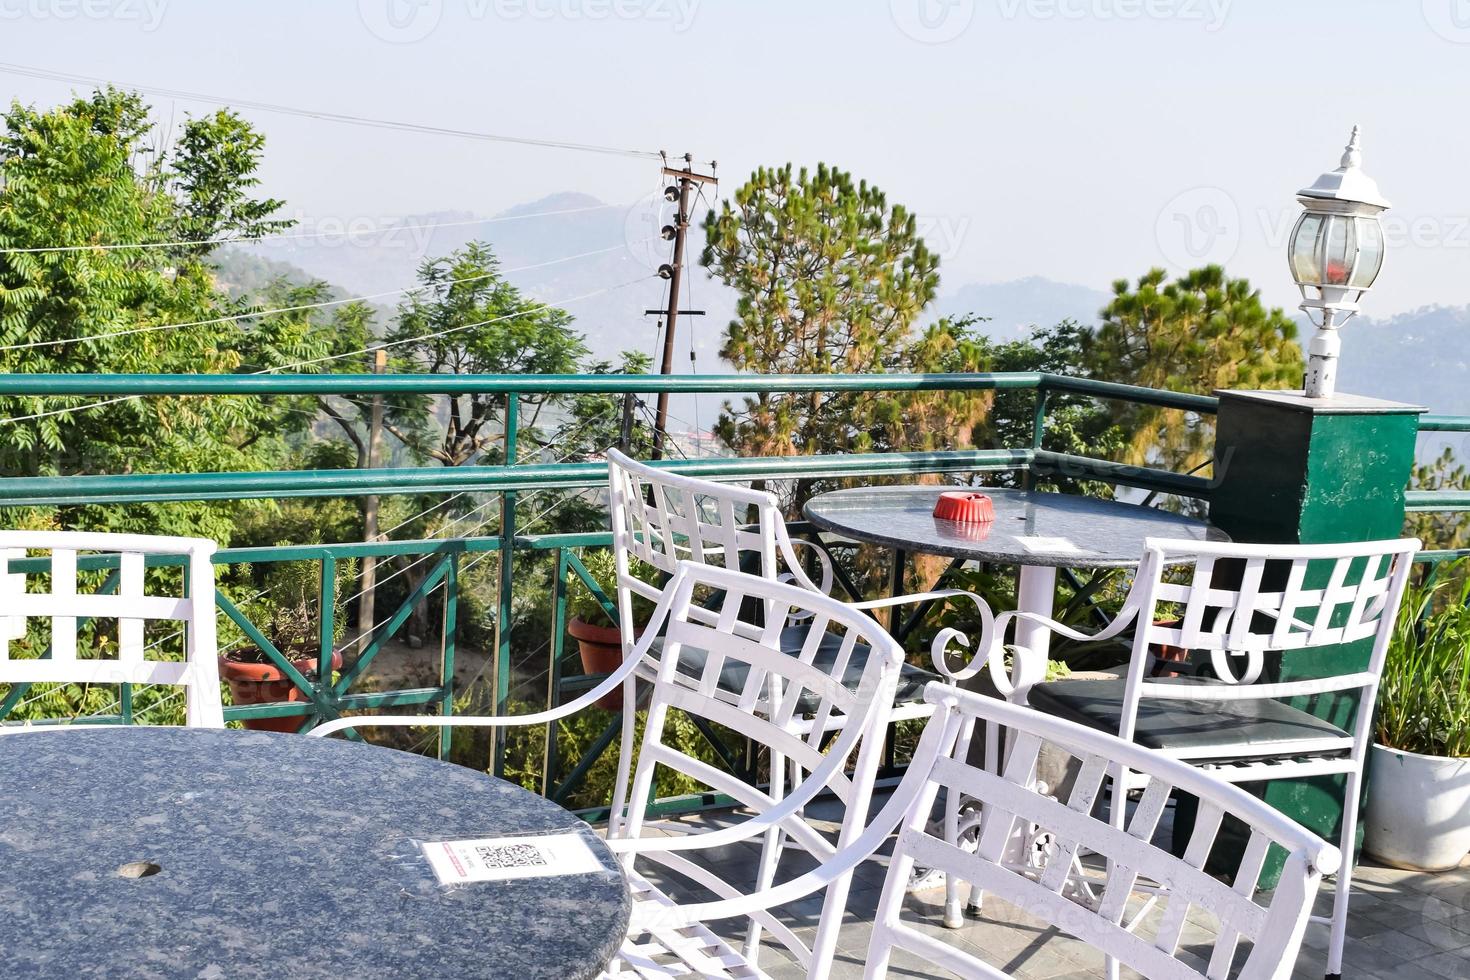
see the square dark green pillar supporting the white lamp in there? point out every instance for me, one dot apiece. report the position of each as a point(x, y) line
point(1312, 471)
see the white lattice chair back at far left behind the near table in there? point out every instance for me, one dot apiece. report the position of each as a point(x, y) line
point(40, 602)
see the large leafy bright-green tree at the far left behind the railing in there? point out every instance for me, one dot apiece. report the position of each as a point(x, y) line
point(85, 176)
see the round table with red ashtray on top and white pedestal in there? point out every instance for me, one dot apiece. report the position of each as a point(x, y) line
point(1040, 533)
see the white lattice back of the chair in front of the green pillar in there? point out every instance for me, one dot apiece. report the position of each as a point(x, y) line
point(1283, 599)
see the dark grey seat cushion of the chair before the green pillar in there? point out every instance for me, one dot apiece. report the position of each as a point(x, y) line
point(1186, 727)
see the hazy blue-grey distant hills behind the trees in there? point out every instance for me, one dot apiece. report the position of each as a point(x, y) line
point(1419, 356)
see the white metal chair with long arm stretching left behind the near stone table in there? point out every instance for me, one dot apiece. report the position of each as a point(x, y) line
point(790, 703)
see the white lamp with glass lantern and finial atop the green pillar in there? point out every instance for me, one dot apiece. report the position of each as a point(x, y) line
point(1335, 255)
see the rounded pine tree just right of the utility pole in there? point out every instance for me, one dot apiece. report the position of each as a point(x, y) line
point(833, 280)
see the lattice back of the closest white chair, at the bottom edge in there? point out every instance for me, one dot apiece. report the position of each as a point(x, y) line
point(1114, 888)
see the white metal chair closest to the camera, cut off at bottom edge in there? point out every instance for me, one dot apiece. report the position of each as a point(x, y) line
point(1061, 893)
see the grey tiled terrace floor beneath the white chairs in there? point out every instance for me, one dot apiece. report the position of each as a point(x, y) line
point(1403, 926)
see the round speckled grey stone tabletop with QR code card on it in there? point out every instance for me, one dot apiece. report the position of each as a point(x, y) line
point(276, 856)
